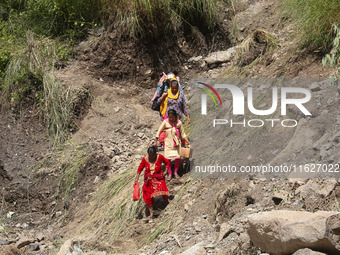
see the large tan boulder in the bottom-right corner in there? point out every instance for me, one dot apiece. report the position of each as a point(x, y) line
point(284, 232)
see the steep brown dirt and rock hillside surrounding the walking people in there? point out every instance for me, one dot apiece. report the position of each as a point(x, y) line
point(78, 199)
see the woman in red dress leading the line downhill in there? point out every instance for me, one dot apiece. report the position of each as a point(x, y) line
point(154, 183)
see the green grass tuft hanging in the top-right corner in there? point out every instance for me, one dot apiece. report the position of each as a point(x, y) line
point(315, 19)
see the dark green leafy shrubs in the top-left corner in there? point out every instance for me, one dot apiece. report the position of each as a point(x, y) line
point(53, 17)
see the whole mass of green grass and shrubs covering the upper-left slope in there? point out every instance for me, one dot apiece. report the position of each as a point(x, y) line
point(36, 35)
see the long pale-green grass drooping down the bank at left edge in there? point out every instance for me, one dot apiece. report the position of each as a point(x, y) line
point(30, 75)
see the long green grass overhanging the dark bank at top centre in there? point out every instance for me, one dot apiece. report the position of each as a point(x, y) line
point(156, 18)
